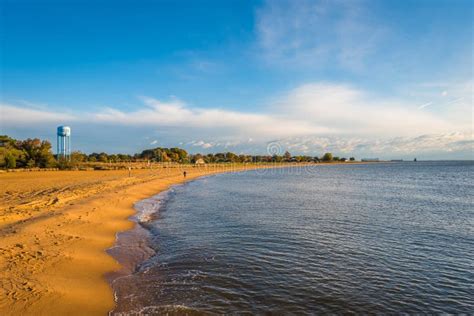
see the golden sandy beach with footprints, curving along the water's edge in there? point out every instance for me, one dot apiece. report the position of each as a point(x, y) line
point(55, 227)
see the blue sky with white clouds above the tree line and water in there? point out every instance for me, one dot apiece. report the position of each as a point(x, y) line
point(387, 79)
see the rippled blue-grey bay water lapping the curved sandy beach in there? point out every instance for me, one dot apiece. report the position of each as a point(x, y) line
point(376, 238)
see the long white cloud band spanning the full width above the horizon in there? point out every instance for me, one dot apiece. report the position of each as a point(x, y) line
point(330, 117)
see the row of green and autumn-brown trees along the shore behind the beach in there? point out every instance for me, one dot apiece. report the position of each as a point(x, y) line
point(36, 153)
